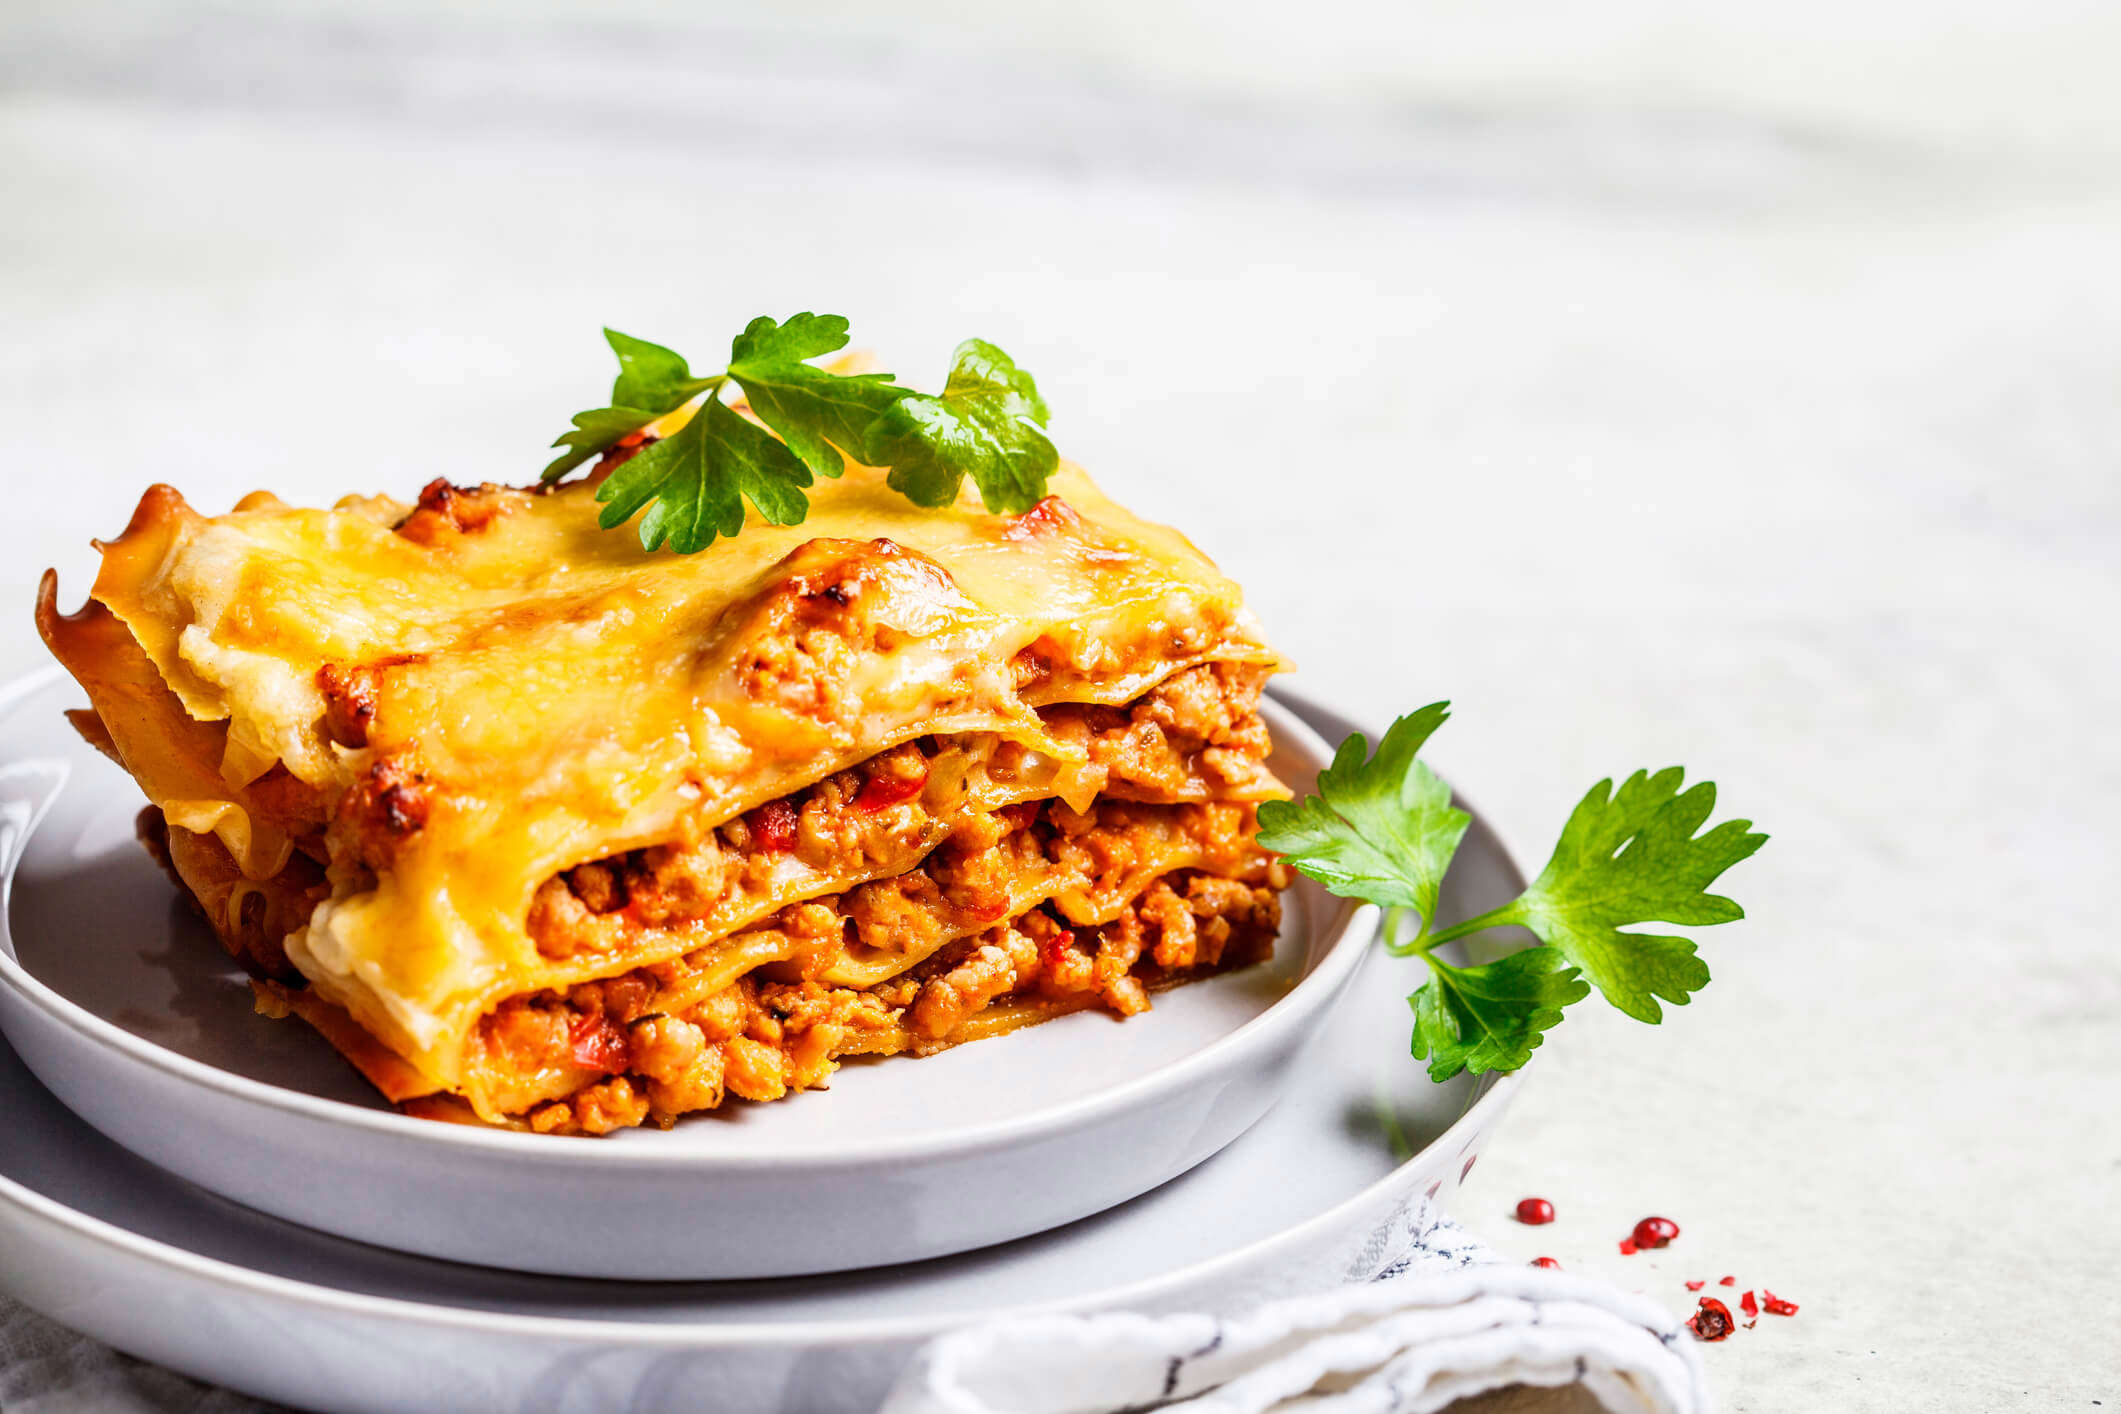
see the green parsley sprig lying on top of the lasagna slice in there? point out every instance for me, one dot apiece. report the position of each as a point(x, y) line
point(987, 425)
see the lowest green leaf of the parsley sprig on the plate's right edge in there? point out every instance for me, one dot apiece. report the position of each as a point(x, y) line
point(1490, 1019)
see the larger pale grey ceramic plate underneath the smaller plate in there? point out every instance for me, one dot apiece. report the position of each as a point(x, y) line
point(156, 1267)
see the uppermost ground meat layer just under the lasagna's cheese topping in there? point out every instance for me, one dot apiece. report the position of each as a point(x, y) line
point(1193, 739)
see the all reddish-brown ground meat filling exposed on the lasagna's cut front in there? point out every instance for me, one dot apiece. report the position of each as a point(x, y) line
point(1013, 917)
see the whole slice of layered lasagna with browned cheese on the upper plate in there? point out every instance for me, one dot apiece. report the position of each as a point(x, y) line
point(550, 832)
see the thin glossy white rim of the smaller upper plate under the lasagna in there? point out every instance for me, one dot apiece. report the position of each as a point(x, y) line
point(1310, 995)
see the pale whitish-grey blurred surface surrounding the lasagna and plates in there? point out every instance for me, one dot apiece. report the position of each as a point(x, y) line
point(1730, 385)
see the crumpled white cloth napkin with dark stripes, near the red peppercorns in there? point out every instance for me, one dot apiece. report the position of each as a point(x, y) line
point(1428, 1318)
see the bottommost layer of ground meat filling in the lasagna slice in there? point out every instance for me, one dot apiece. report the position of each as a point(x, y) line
point(762, 1038)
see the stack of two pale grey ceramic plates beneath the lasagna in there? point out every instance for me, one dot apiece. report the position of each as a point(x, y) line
point(217, 1192)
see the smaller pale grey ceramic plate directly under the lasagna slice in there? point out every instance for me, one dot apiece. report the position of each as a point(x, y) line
point(126, 1008)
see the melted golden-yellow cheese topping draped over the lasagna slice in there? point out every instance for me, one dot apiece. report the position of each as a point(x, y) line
point(555, 694)
